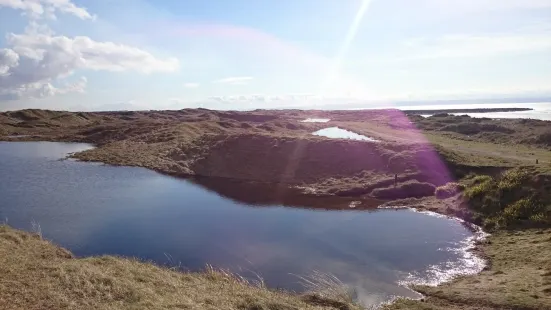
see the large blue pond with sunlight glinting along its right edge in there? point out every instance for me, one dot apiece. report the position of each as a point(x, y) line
point(95, 209)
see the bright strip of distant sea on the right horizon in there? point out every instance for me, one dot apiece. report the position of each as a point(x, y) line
point(541, 110)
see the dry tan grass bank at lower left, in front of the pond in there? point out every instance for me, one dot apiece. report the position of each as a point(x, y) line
point(35, 274)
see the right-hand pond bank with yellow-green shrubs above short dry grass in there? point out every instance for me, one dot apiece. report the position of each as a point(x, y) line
point(516, 208)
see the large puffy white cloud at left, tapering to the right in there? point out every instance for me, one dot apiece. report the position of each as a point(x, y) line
point(34, 60)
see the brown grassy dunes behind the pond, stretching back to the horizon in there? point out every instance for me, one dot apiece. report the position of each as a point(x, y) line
point(274, 146)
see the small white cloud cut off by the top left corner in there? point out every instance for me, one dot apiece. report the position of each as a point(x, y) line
point(47, 8)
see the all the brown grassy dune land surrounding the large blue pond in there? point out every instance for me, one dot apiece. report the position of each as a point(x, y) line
point(495, 173)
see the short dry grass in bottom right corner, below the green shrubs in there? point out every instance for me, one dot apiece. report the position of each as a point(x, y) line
point(519, 277)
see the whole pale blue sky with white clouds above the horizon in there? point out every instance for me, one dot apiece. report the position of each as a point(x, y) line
point(246, 54)
